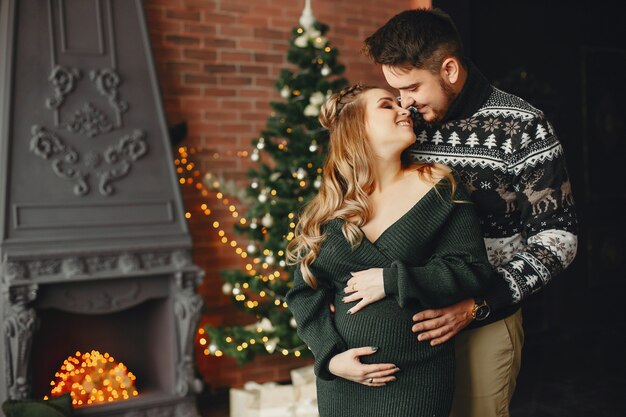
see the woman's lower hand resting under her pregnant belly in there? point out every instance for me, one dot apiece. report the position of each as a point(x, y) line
point(347, 365)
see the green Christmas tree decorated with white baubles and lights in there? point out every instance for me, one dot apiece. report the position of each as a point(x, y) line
point(290, 153)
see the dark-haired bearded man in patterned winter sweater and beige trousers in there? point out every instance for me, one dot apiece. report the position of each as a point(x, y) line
point(510, 159)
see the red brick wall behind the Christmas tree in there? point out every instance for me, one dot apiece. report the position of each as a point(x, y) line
point(217, 62)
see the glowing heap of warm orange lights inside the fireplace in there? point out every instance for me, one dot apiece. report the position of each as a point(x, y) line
point(93, 378)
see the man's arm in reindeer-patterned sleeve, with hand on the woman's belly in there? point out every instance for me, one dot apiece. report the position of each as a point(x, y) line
point(548, 220)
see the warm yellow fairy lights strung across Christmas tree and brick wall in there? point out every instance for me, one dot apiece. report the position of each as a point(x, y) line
point(257, 268)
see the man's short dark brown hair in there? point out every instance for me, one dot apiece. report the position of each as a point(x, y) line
point(420, 38)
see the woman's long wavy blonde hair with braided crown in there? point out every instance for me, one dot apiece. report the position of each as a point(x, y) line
point(348, 180)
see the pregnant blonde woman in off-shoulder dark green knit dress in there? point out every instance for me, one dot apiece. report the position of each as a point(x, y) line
point(408, 221)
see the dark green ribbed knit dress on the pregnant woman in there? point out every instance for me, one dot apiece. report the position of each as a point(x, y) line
point(433, 256)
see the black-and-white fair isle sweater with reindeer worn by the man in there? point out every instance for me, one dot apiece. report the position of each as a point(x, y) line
point(510, 159)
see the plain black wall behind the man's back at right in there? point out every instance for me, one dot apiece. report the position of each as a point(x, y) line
point(569, 59)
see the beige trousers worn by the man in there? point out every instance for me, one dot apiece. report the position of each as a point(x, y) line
point(488, 362)
